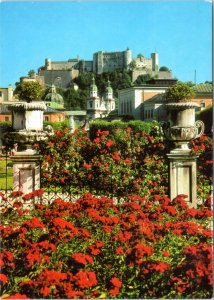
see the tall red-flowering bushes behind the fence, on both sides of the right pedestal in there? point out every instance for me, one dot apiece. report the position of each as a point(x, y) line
point(116, 165)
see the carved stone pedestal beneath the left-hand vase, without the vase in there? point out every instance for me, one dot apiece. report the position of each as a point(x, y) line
point(26, 171)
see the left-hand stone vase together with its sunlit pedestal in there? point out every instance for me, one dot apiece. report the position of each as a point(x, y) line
point(27, 121)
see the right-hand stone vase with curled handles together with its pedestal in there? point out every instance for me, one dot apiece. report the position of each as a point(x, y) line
point(181, 129)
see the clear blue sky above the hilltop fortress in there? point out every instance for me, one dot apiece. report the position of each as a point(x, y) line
point(179, 31)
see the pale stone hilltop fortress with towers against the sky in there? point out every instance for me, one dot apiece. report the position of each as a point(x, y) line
point(61, 73)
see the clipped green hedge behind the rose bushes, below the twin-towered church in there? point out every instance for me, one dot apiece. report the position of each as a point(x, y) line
point(137, 126)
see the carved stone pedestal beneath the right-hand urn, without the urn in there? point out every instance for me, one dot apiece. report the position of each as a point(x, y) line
point(182, 175)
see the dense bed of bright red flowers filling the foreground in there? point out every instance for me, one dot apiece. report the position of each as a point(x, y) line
point(94, 248)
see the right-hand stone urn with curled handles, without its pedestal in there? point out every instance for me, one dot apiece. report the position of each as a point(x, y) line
point(181, 126)
